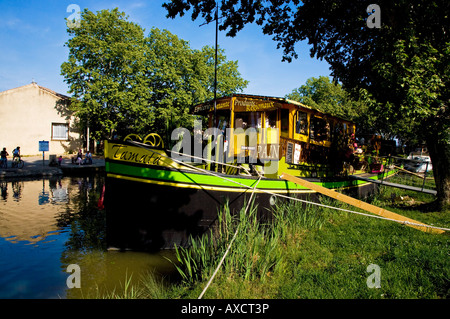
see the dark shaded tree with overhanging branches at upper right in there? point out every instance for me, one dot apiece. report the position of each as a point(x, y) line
point(401, 69)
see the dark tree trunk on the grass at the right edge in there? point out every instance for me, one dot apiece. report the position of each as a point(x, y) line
point(440, 158)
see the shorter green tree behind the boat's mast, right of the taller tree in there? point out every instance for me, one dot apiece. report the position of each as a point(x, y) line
point(180, 77)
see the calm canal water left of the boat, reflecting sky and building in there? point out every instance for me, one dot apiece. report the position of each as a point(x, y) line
point(47, 225)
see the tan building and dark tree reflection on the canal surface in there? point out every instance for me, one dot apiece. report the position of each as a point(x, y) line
point(34, 210)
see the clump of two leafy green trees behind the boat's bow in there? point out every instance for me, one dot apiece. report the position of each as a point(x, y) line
point(124, 82)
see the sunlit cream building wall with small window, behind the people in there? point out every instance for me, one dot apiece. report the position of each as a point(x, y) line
point(26, 117)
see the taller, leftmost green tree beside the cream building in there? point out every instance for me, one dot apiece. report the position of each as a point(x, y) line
point(105, 72)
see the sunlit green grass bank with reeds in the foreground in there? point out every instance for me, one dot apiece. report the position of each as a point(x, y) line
point(308, 251)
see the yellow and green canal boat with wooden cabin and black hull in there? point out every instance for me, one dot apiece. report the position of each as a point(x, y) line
point(158, 196)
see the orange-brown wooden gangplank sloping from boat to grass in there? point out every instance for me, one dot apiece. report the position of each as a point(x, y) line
point(360, 204)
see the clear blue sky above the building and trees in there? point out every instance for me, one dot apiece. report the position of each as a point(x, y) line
point(33, 33)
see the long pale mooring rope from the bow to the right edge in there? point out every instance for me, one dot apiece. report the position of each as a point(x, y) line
point(293, 198)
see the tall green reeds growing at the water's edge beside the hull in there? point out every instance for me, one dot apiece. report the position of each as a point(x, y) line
point(259, 248)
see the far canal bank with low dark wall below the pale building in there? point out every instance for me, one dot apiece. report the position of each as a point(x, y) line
point(36, 167)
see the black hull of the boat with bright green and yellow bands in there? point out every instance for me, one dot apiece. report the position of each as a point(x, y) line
point(152, 207)
